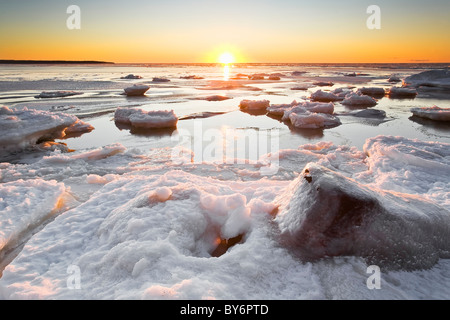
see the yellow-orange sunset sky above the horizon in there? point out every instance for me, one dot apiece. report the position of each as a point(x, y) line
point(199, 31)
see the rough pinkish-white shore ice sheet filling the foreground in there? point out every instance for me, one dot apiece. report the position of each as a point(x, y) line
point(147, 231)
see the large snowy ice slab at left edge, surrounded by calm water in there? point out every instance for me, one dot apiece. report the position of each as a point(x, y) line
point(22, 128)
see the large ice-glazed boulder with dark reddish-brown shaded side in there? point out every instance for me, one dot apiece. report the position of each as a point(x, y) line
point(327, 214)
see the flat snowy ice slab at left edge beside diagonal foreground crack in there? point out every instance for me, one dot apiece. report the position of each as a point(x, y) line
point(25, 206)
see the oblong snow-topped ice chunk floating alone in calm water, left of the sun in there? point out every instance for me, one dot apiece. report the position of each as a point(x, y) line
point(146, 119)
